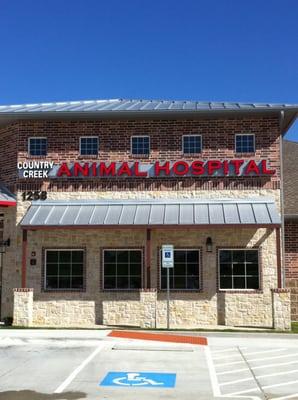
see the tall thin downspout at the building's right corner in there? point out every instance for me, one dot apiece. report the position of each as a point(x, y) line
point(282, 204)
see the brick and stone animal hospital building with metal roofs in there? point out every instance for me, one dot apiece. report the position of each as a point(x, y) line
point(92, 190)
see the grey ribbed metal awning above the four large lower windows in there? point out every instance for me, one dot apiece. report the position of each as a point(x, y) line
point(151, 213)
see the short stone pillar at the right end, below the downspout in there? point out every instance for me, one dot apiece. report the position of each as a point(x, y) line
point(281, 309)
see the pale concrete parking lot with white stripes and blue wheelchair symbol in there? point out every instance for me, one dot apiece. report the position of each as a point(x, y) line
point(45, 365)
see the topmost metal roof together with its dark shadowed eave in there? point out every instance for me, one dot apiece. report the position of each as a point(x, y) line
point(127, 108)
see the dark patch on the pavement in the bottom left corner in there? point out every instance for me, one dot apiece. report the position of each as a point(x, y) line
point(32, 395)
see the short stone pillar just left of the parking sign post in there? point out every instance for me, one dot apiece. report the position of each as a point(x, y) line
point(148, 299)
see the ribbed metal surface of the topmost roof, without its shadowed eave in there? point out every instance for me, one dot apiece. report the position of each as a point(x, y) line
point(112, 105)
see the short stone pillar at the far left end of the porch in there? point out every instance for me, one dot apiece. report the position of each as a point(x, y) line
point(23, 307)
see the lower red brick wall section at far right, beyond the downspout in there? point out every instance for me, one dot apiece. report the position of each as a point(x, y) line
point(291, 264)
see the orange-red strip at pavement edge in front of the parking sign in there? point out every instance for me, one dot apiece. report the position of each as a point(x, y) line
point(200, 340)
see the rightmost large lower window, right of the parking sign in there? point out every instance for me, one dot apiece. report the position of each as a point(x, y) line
point(239, 269)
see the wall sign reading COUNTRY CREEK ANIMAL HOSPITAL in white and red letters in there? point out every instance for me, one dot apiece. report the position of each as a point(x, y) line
point(136, 169)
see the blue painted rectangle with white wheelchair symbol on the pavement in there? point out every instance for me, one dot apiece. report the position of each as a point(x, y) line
point(139, 379)
